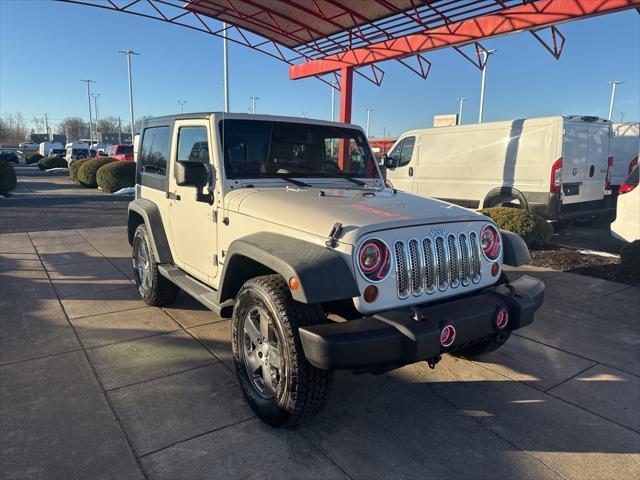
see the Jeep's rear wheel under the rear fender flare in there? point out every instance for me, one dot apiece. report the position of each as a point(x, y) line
point(154, 289)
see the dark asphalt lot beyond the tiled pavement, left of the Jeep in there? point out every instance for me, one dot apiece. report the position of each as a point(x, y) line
point(46, 201)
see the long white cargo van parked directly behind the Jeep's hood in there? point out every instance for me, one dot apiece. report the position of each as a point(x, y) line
point(554, 166)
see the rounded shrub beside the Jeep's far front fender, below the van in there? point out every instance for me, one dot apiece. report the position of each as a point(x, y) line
point(533, 229)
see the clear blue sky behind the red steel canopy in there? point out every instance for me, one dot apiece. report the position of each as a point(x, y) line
point(47, 47)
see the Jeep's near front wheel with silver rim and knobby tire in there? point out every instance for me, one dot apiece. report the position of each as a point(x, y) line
point(281, 386)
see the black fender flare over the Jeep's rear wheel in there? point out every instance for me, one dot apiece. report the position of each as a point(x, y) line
point(142, 210)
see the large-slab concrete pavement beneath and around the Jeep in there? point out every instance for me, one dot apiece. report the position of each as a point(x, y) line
point(95, 384)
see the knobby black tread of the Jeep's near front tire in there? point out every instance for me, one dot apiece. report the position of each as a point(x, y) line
point(314, 383)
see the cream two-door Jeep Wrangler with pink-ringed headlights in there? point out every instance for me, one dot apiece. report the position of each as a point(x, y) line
point(285, 226)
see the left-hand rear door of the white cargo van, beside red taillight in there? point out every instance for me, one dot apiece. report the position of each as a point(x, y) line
point(574, 161)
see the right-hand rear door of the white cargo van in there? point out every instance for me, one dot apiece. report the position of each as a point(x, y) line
point(597, 160)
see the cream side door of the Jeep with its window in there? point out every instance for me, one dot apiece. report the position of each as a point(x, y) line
point(193, 223)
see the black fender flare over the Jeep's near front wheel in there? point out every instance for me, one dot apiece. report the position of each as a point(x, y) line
point(323, 273)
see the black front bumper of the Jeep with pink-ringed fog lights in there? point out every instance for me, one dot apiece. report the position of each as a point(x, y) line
point(404, 336)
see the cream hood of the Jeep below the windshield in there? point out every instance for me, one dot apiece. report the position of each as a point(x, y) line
point(316, 210)
